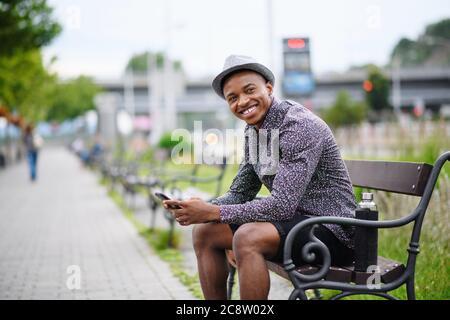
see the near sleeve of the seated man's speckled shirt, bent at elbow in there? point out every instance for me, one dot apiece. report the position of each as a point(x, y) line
point(301, 145)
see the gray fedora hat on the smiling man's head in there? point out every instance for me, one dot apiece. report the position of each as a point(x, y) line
point(236, 63)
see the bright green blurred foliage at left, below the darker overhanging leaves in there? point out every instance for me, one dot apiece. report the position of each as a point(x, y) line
point(29, 90)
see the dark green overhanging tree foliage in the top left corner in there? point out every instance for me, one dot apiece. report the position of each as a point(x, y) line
point(25, 25)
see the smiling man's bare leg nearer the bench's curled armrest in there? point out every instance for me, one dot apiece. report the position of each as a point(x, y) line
point(253, 243)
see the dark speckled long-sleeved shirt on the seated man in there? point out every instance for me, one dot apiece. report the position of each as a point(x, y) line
point(310, 177)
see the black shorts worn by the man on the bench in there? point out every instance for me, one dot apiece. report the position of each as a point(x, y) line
point(340, 254)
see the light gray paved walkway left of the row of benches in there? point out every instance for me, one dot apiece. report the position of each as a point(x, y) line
point(66, 219)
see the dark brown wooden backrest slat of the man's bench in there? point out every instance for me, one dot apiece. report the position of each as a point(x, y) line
point(398, 177)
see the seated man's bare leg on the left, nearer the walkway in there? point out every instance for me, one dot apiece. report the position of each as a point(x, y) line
point(210, 241)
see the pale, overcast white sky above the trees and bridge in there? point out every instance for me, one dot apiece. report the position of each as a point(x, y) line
point(100, 36)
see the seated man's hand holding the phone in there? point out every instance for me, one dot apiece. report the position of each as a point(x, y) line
point(193, 211)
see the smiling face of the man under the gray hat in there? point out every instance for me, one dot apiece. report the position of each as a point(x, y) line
point(249, 96)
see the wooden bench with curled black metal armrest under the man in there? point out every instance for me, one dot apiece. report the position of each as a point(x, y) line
point(414, 179)
